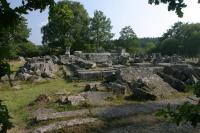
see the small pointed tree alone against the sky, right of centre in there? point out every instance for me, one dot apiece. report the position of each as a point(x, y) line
point(128, 40)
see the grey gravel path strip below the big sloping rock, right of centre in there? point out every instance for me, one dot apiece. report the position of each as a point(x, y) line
point(131, 109)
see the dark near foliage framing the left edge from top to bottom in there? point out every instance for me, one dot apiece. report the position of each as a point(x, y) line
point(9, 18)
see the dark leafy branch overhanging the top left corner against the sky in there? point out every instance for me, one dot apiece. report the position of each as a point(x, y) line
point(9, 15)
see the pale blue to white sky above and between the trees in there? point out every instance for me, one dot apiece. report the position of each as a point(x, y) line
point(146, 20)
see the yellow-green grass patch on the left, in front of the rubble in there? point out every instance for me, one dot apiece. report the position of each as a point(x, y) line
point(17, 101)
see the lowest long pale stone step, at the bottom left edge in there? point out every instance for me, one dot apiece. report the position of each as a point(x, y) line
point(62, 124)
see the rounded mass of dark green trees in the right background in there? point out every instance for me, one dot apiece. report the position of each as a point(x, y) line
point(182, 39)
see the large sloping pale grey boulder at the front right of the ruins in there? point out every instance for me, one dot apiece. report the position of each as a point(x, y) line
point(143, 81)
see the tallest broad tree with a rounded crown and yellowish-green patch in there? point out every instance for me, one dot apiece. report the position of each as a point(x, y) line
point(67, 26)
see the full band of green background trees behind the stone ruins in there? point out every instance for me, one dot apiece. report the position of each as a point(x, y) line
point(69, 25)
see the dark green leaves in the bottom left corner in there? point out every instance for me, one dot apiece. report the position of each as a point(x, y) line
point(5, 122)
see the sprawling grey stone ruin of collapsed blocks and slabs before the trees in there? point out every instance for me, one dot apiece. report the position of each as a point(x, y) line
point(145, 76)
